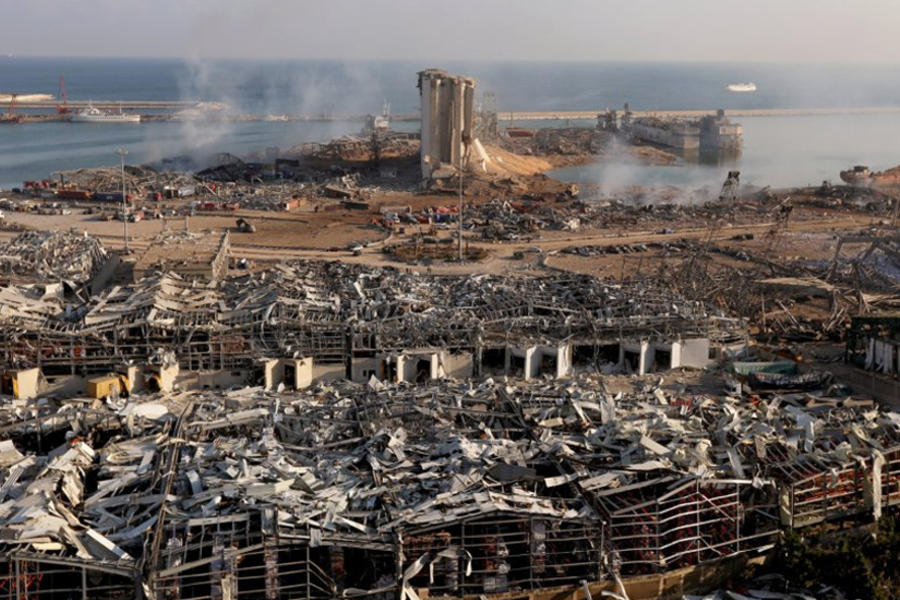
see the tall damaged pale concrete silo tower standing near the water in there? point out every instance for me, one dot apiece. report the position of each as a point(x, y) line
point(447, 119)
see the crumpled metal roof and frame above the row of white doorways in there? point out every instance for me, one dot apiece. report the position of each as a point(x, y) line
point(335, 312)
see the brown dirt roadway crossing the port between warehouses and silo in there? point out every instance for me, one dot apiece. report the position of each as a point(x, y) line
point(330, 235)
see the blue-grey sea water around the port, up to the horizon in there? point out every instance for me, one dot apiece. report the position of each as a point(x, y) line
point(778, 150)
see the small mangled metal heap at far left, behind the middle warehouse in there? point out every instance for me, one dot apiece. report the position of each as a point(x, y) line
point(53, 256)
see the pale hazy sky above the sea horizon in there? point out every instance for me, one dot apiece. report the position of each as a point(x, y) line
point(593, 30)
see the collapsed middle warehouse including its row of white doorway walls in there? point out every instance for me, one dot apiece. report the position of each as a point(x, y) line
point(302, 322)
